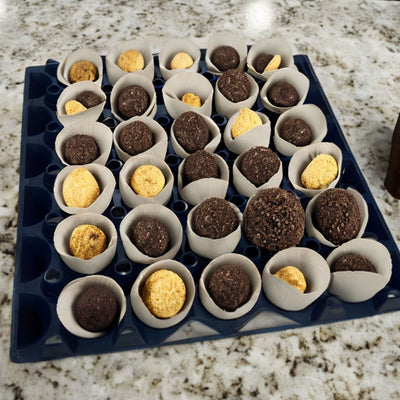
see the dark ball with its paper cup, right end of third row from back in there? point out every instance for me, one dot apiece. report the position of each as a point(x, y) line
point(298, 127)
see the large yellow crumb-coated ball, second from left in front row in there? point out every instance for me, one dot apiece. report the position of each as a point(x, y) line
point(164, 293)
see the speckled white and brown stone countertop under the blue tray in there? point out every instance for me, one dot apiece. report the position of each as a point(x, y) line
point(354, 47)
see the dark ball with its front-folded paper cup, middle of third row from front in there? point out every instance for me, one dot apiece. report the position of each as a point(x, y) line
point(202, 175)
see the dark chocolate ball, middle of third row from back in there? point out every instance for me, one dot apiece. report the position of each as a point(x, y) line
point(191, 131)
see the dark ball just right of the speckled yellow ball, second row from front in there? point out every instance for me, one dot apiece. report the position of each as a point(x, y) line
point(150, 236)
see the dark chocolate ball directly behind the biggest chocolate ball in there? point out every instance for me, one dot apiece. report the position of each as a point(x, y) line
point(259, 164)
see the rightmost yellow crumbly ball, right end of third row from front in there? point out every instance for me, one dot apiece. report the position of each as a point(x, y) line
point(320, 173)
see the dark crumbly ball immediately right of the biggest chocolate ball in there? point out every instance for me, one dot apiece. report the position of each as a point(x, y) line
point(336, 215)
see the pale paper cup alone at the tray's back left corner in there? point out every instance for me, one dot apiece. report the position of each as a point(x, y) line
point(84, 54)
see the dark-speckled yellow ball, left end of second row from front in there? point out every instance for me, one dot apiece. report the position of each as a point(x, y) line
point(87, 241)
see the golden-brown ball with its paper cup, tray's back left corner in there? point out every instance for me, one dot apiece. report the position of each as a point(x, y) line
point(81, 65)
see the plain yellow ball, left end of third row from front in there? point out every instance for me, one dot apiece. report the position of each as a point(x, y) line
point(80, 188)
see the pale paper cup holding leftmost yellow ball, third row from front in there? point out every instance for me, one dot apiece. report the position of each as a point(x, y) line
point(104, 178)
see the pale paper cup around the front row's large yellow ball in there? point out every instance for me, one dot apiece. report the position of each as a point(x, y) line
point(141, 310)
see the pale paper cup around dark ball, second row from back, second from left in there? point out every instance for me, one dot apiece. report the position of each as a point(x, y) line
point(129, 80)
